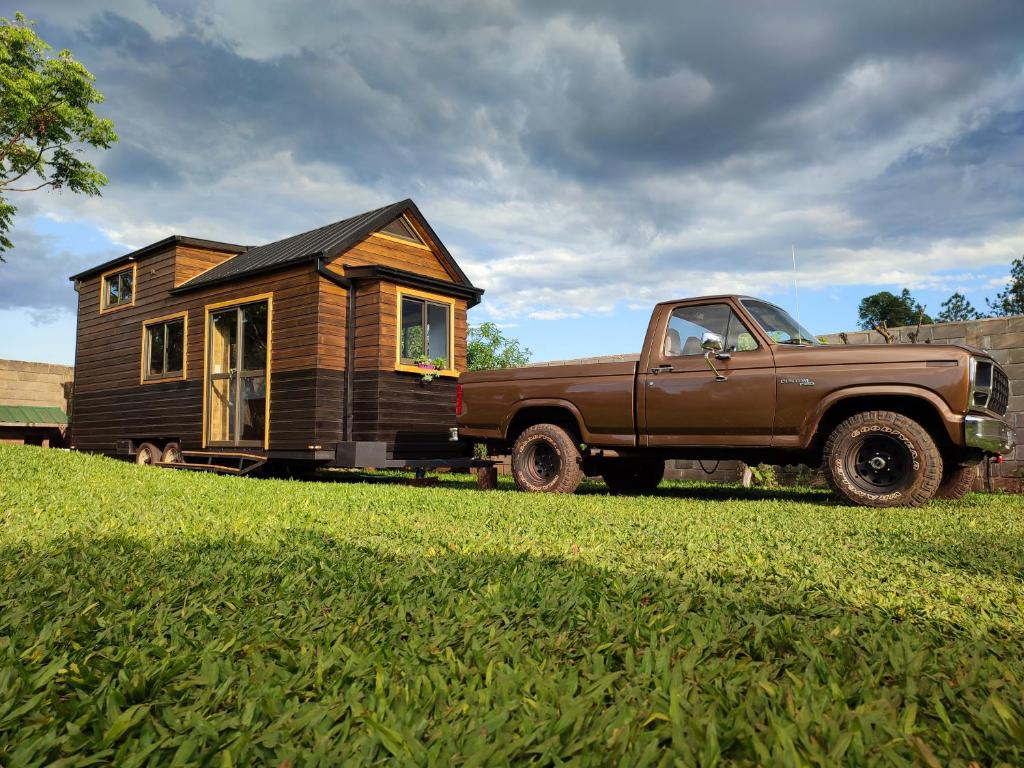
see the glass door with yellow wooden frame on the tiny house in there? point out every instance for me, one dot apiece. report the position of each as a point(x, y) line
point(238, 375)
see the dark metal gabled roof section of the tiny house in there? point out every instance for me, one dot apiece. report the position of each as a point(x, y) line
point(325, 242)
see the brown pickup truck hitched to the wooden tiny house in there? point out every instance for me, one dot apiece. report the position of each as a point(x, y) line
point(735, 377)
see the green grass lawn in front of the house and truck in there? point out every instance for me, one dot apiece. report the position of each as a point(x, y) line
point(159, 618)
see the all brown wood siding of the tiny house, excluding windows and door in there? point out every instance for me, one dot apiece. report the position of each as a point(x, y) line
point(308, 398)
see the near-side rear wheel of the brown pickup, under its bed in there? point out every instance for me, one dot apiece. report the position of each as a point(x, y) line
point(546, 459)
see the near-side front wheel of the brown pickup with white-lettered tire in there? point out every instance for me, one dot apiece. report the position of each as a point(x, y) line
point(907, 470)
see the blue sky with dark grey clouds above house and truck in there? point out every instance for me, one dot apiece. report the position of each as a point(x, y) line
point(582, 160)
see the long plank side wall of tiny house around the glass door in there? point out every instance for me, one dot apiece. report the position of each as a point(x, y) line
point(110, 403)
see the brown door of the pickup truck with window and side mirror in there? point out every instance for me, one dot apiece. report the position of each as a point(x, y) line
point(684, 403)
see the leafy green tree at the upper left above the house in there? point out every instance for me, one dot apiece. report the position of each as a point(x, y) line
point(46, 118)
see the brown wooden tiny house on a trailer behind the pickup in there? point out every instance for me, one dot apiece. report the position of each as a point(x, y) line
point(309, 349)
